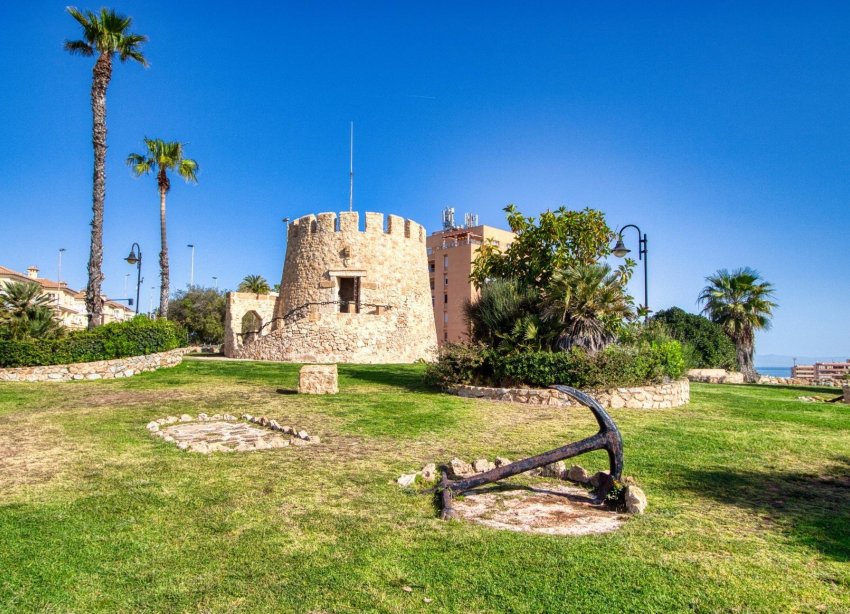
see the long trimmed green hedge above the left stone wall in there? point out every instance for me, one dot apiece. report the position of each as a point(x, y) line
point(136, 337)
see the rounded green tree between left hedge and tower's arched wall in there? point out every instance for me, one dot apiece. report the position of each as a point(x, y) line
point(201, 312)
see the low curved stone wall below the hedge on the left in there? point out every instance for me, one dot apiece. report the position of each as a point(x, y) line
point(101, 369)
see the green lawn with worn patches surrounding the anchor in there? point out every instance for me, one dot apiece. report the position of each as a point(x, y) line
point(749, 502)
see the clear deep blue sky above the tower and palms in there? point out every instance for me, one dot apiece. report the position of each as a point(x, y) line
point(720, 128)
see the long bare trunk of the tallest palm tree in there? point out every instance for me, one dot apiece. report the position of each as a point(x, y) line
point(101, 74)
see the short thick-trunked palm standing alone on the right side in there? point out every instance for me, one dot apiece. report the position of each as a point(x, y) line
point(741, 302)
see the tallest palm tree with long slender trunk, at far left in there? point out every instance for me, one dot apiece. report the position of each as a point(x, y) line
point(105, 34)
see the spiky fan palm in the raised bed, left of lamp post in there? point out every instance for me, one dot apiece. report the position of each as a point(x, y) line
point(589, 303)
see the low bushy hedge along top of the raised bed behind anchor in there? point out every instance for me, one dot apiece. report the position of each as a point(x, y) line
point(615, 366)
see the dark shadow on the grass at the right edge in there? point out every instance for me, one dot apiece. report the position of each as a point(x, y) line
point(812, 509)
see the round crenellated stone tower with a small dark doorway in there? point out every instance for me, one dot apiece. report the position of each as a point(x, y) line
point(350, 295)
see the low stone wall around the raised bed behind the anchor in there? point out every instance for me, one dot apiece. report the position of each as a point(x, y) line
point(658, 396)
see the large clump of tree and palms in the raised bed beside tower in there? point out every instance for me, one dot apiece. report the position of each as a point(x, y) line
point(548, 290)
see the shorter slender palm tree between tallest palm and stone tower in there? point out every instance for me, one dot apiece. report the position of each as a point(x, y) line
point(161, 157)
